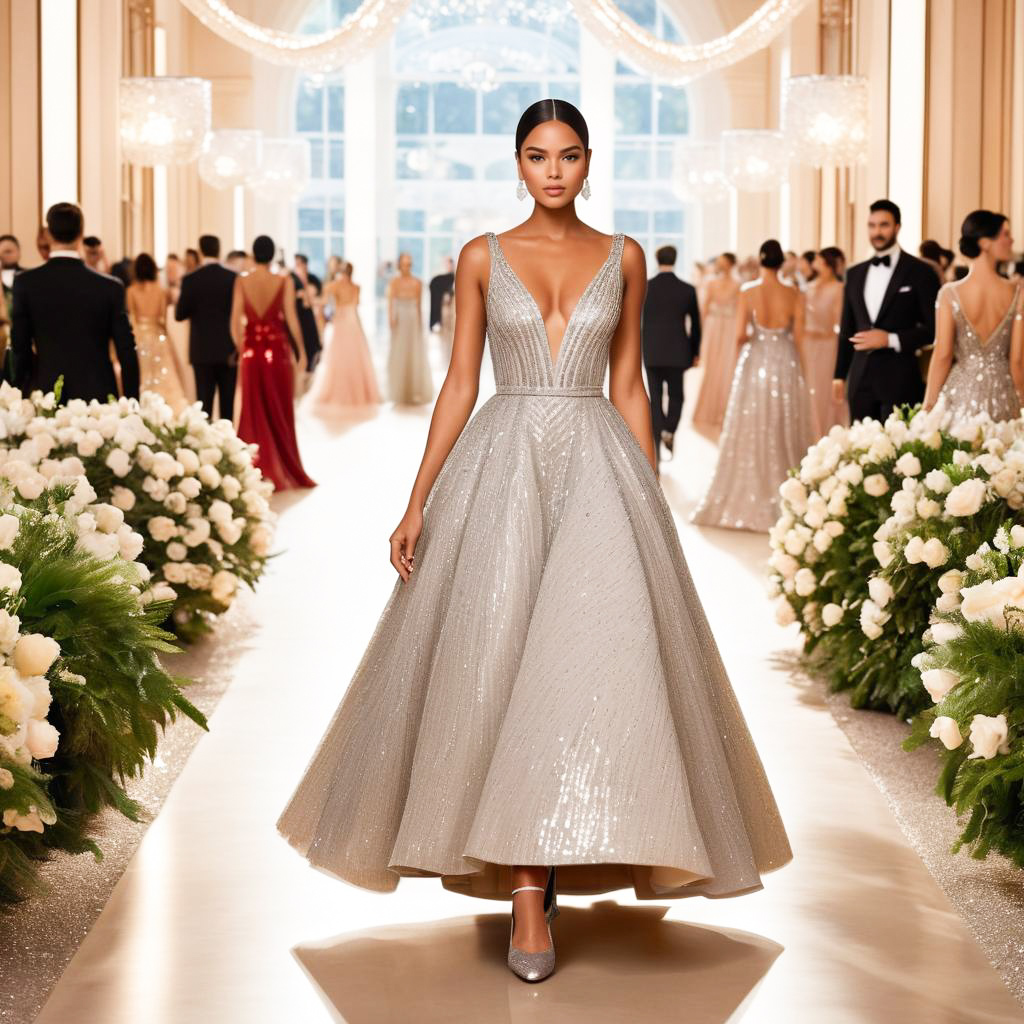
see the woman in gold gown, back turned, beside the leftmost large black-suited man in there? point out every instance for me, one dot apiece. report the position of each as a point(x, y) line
point(147, 302)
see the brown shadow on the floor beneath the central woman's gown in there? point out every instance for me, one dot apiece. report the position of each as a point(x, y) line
point(615, 964)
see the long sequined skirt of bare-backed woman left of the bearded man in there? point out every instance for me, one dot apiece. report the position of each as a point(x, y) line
point(767, 432)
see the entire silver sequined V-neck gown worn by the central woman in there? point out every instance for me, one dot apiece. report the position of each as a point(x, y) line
point(546, 691)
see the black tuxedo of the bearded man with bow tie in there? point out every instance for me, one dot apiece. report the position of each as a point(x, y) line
point(909, 312)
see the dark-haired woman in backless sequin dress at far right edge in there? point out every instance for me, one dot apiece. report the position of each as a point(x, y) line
point(980, 324)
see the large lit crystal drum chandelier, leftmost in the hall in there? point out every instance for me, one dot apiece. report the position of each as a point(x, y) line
point(163, 120)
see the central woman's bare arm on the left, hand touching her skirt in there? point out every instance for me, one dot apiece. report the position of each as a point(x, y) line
point(456, 400)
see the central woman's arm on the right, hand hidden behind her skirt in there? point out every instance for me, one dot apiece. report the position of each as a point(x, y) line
point(626, 377)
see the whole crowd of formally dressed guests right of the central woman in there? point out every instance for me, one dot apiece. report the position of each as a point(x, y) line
point(792, 346)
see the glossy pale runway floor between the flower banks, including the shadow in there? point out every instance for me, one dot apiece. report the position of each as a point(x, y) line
point(218, 920)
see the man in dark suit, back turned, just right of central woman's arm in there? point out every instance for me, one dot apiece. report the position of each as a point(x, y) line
point(671, 344)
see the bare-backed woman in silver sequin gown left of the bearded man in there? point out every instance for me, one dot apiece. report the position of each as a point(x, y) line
point(767, 426)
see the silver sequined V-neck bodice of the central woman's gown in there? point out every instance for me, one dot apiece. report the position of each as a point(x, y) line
point(518, 337)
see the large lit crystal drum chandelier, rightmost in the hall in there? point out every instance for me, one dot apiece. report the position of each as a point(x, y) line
point(826, 119)
